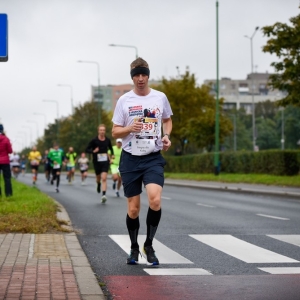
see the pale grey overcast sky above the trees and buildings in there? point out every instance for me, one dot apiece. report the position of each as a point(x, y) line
point(47, 38)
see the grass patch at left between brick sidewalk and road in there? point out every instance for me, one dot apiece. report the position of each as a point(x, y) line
point(28, 211)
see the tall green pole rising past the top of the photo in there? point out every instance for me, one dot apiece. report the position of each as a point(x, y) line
point(216, 156)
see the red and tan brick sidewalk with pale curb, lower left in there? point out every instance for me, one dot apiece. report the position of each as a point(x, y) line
point(46, 266)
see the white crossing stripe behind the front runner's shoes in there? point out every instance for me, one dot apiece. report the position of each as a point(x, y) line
point(164, 254)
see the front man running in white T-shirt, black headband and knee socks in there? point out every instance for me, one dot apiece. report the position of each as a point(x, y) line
point(142, 118)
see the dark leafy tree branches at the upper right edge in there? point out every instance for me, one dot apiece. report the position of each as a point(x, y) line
point(284, 43)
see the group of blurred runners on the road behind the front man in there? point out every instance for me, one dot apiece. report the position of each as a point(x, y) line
point(105, 158)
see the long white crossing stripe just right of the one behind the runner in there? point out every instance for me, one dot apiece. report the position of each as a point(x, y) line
point(242, 250)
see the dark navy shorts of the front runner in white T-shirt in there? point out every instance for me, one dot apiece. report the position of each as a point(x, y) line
point(138, 170)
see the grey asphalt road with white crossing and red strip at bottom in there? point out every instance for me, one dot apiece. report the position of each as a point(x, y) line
point(210, 244)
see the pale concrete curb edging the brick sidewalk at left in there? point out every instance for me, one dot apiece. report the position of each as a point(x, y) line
point(88, 285)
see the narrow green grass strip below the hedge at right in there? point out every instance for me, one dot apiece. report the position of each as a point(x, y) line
point(293, 181)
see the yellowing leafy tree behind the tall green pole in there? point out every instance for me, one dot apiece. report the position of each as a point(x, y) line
point(193, 112)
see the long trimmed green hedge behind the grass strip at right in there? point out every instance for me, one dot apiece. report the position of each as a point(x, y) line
point(275, 162)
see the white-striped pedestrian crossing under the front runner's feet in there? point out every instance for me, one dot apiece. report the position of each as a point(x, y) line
point(227, 244)
